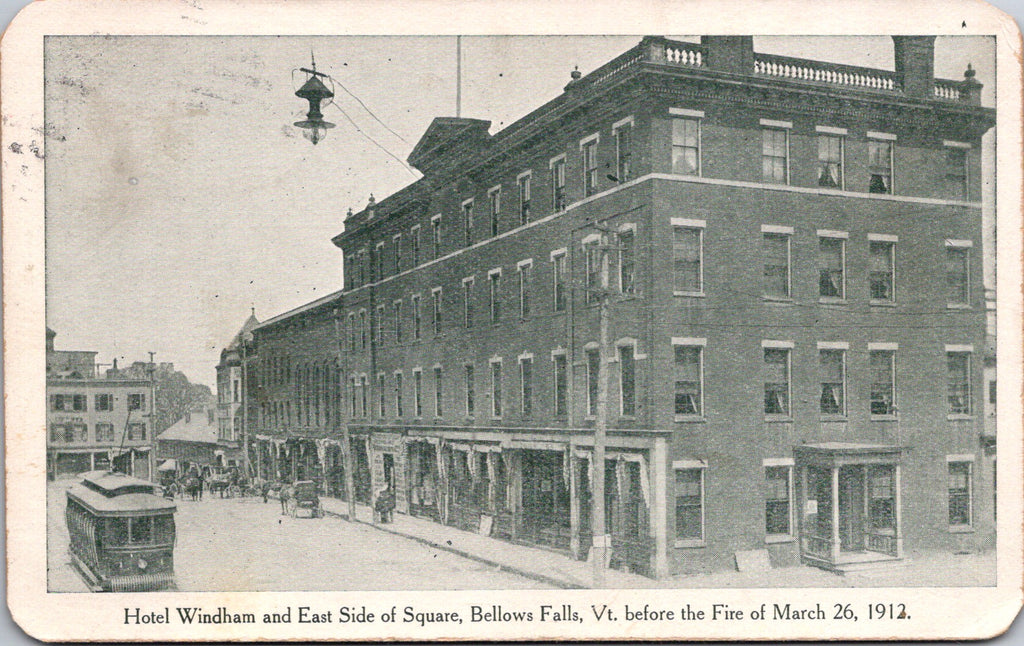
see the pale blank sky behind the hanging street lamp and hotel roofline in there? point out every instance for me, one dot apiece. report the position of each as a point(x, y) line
point(180, 196)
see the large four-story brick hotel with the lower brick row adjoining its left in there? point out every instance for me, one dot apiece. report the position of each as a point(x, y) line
point(794, 349)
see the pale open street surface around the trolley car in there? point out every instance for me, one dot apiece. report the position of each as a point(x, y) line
point(244, 545)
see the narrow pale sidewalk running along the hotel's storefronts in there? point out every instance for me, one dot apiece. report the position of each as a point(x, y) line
point(542, 566)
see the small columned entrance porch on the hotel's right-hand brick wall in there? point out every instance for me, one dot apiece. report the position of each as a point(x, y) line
point(850, 505)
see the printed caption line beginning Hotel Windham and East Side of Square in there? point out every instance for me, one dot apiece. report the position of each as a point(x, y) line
point(509, 615)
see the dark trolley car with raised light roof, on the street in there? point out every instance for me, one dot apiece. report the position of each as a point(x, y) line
point(122, 534)
